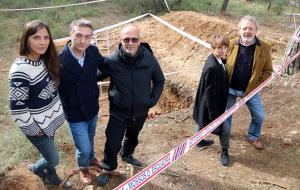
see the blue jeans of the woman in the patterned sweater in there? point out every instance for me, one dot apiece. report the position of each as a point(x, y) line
point(49, 156)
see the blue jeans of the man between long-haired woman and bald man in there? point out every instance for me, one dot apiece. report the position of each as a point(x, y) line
point(83, 135)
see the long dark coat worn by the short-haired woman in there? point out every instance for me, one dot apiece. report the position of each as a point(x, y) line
point(212, 93)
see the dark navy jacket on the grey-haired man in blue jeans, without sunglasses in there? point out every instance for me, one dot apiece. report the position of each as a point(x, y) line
point(78, 85)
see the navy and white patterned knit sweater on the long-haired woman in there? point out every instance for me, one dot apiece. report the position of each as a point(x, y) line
point(34, 101)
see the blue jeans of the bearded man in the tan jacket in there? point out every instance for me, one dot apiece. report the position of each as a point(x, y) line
point(256, 110)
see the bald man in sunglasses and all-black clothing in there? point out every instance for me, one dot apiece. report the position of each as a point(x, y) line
point(136, 83)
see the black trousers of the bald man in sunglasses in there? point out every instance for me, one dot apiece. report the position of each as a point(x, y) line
point(116, 128)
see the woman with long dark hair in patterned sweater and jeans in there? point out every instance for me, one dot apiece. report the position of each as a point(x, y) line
point(34, 101)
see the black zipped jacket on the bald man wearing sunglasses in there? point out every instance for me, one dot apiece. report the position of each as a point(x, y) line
point(135, 83)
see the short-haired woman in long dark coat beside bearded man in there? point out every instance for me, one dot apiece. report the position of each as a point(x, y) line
point(212, 93)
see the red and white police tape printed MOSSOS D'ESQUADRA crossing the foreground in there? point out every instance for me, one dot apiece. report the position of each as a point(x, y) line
point(144, 176)
